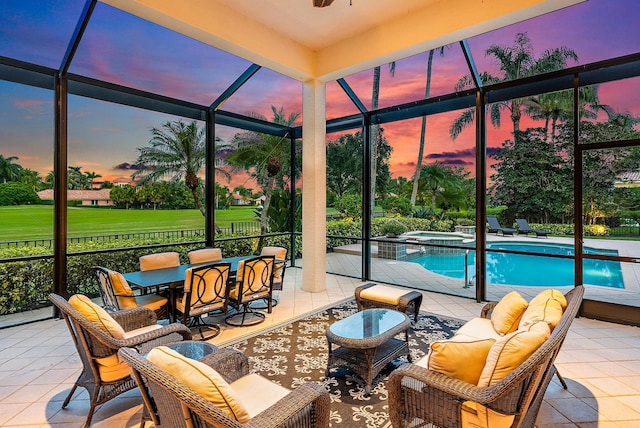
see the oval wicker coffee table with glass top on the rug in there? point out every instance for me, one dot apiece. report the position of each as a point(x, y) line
point(366, 342)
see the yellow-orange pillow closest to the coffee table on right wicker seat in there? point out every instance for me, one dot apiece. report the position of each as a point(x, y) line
point(461, 359)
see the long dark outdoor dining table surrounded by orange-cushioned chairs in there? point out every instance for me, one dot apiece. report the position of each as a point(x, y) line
point(172, 278)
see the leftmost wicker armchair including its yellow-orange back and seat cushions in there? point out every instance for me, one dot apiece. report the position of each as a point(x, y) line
point(98, 335)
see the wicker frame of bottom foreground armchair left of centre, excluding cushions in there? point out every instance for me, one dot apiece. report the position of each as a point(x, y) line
point(305, 407)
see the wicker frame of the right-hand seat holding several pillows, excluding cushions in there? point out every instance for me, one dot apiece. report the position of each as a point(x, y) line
point(418, 397)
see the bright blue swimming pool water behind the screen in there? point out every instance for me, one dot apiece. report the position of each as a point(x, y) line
point(519, 269)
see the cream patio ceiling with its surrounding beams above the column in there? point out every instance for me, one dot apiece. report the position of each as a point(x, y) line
point(307, 43)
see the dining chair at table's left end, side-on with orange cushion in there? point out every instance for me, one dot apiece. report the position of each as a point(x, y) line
point(117, 295)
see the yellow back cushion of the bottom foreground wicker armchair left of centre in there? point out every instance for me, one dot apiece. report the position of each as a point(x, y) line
point(201, 378)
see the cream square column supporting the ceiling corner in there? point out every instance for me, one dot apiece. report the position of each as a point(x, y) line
point(314, 183)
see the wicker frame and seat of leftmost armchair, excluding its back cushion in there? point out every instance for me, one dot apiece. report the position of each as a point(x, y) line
point(95, 346)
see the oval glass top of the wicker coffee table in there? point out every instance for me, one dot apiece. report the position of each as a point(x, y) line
point(367, 324)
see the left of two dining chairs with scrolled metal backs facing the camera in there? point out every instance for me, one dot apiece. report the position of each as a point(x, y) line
point(205, 290)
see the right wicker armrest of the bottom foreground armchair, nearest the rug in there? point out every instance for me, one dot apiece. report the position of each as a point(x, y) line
point(307, 398)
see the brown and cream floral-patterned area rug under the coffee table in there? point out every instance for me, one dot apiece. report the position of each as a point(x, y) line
point(297, 353)
